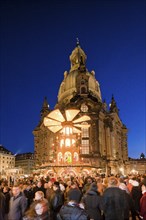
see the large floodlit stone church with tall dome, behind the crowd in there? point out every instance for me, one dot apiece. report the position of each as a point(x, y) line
point(82, 133)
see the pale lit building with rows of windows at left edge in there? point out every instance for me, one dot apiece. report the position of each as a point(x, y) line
point(7, 160)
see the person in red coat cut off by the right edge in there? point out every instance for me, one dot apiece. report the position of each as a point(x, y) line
point(142, 213)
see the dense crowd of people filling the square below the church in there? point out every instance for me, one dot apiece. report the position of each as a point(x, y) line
point(74, 198)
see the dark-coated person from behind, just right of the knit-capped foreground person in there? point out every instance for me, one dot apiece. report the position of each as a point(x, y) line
point(92, 200)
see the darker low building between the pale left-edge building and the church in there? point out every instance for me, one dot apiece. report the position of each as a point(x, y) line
point(26, 162)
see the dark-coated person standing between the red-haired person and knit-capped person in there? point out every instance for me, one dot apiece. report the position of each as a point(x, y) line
point(56, 201)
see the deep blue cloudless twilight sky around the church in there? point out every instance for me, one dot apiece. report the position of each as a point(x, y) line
point(36, 40)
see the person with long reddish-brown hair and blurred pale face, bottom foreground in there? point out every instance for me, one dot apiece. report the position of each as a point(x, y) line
point(37, 211)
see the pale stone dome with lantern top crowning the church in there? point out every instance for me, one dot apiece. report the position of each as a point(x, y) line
point(78, 79)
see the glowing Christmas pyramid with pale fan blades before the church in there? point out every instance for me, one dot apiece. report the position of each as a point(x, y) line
point(69, 130)
